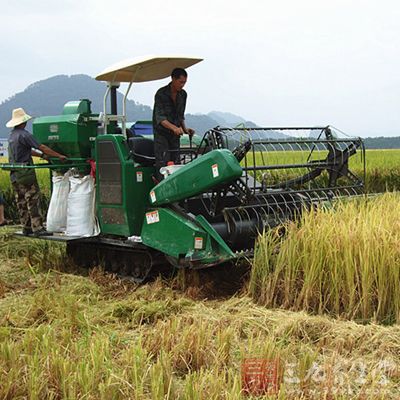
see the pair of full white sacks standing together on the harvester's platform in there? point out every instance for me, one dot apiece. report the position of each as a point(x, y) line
point(72, 206)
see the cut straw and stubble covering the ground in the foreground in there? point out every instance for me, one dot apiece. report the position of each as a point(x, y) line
point(95, 337)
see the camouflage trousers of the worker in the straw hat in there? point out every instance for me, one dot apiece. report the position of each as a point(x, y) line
point(27, 198)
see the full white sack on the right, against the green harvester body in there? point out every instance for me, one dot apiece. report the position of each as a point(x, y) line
point(81, 207)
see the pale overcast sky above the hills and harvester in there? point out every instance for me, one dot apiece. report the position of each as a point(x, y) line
point(276, 63)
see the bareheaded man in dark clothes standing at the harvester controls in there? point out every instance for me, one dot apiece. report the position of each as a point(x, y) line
point(169, 120)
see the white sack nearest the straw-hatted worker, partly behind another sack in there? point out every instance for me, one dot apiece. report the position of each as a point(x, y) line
point(57, 212)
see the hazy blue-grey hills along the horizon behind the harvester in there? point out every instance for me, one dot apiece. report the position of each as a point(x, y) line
point(47, 97)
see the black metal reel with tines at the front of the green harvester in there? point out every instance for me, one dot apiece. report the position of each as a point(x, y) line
point(285, 171)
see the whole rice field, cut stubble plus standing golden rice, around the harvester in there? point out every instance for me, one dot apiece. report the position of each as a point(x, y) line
point(321, 300)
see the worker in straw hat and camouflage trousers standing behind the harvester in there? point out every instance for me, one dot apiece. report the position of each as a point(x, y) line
point(21, 147)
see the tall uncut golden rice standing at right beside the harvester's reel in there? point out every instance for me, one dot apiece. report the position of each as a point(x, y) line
point(344, 261)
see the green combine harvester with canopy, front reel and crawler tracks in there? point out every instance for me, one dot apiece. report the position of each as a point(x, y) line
point(235, 184)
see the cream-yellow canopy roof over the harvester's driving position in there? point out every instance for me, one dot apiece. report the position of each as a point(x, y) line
point(144, 69)
